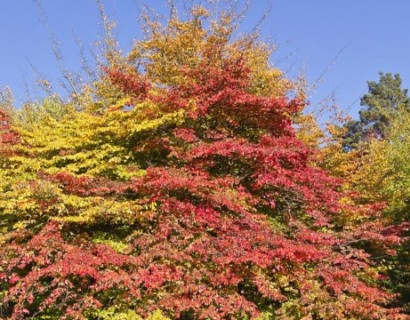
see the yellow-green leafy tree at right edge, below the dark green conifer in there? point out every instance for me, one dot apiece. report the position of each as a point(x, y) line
point(384, 175)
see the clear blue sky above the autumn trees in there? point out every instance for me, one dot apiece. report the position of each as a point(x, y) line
point(346, 41)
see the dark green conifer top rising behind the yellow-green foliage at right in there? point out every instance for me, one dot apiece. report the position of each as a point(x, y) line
point(383, 102)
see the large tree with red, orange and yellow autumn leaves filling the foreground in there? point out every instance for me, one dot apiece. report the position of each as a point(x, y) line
point(179, 185)
